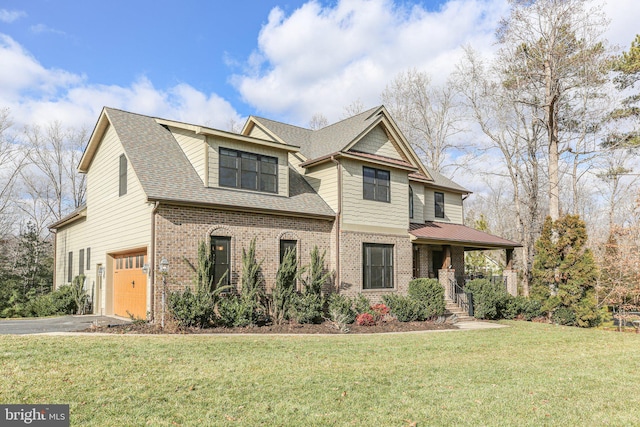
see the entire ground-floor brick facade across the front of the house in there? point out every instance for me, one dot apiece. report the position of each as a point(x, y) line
point(179, 230)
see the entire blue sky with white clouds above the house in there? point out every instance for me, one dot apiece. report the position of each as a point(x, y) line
point(215, 62)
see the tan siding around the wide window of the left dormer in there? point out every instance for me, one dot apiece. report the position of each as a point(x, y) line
point(214, 143)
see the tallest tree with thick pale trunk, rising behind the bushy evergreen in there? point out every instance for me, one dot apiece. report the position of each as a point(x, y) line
point(550, 49)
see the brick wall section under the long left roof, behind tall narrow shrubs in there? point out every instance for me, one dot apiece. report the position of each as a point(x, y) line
point(180, 229)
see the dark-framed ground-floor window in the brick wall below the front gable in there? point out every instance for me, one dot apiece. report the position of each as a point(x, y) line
point(377, 266)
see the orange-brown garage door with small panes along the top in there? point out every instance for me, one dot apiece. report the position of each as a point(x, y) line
point(130, 286)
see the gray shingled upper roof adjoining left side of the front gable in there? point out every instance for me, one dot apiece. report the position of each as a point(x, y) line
point(328, 140)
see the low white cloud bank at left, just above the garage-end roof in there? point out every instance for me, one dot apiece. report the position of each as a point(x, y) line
point(36, 94)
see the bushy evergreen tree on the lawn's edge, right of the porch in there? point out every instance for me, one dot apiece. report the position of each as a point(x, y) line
point(565, 273)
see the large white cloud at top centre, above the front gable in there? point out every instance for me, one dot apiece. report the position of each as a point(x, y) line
point(320, 59)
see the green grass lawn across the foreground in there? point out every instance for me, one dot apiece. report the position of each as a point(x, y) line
point(525, 375)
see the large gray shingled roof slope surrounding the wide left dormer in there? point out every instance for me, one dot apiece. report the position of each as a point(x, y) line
point(167, 175)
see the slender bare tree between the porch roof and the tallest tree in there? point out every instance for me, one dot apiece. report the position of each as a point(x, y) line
point(515, 130)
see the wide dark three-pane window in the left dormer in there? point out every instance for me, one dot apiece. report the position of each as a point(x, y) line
point(248, 171)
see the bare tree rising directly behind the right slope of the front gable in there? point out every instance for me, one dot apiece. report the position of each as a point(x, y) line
point(428, 116)
